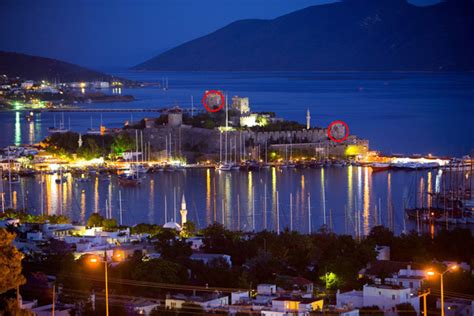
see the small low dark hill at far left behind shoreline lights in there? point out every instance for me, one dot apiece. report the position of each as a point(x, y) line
point(40, 68)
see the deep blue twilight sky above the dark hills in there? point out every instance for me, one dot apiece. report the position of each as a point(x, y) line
point(111, 33)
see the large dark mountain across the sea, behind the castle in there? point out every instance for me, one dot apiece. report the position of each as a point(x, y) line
point(376, 35)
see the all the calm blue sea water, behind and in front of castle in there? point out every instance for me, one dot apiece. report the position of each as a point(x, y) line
point(398, 112)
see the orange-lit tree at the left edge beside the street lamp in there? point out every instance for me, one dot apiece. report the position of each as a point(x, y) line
point(10, 263)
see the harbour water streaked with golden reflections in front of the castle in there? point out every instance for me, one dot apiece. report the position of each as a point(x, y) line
point(348, 200)
